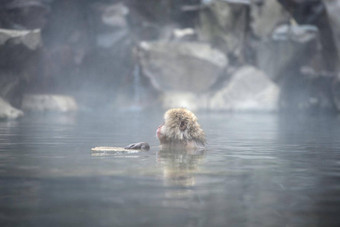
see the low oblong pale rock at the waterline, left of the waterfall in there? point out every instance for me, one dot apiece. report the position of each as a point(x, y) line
point(49, 103)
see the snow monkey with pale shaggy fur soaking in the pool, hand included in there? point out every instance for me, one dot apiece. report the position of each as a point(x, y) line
point(179, 130)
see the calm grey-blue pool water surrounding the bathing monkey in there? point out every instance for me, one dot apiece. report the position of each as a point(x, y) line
point(258, 170)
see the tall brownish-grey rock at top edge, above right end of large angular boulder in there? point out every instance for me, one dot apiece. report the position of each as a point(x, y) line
point(224, 24)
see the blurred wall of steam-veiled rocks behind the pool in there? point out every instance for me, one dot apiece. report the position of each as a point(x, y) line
point(219, 55)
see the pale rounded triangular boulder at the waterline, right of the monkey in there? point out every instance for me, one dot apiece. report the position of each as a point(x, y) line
point(249, 89)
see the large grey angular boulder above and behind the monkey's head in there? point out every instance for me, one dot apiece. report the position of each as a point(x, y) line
point(181, 66)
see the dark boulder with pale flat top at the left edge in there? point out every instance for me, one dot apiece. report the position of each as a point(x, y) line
point(19, 55)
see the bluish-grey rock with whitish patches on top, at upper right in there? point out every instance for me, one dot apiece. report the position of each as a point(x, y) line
point(290, 47)
